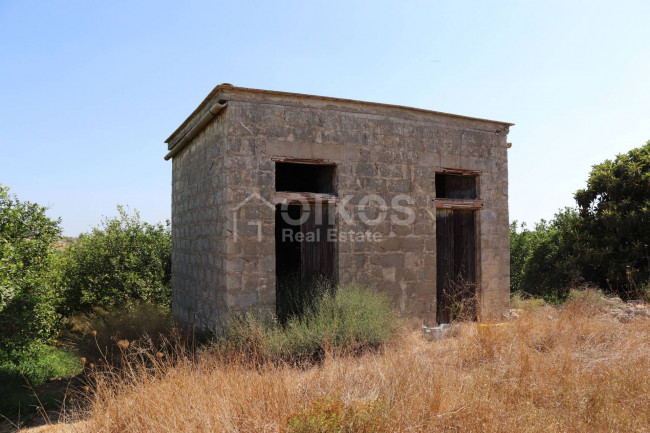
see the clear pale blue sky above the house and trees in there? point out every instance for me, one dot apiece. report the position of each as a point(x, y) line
point(89, 91)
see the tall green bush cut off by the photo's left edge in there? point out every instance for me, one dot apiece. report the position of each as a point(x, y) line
point(27, 297)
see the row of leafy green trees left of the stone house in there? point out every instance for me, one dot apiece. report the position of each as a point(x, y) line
point(122, 262)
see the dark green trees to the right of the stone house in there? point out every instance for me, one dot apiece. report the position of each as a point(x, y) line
point(605, 242)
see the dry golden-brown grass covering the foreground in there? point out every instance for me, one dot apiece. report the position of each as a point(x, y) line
point(573, 369)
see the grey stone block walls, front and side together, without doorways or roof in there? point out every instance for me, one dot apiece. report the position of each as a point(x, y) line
point(224, 184)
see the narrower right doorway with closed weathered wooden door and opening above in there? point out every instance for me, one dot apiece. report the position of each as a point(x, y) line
point(457, 205)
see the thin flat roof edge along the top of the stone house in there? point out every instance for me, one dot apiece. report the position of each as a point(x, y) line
point(228, 90)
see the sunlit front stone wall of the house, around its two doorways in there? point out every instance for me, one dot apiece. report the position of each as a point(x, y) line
point(379, 150)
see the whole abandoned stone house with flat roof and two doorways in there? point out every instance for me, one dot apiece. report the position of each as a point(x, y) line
point(270, 187)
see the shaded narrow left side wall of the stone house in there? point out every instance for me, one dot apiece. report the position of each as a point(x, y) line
point(199, 228)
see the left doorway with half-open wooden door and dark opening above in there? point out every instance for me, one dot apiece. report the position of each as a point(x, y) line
point(301, 266)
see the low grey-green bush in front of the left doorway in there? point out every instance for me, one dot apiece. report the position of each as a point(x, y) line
point(352, 318)
